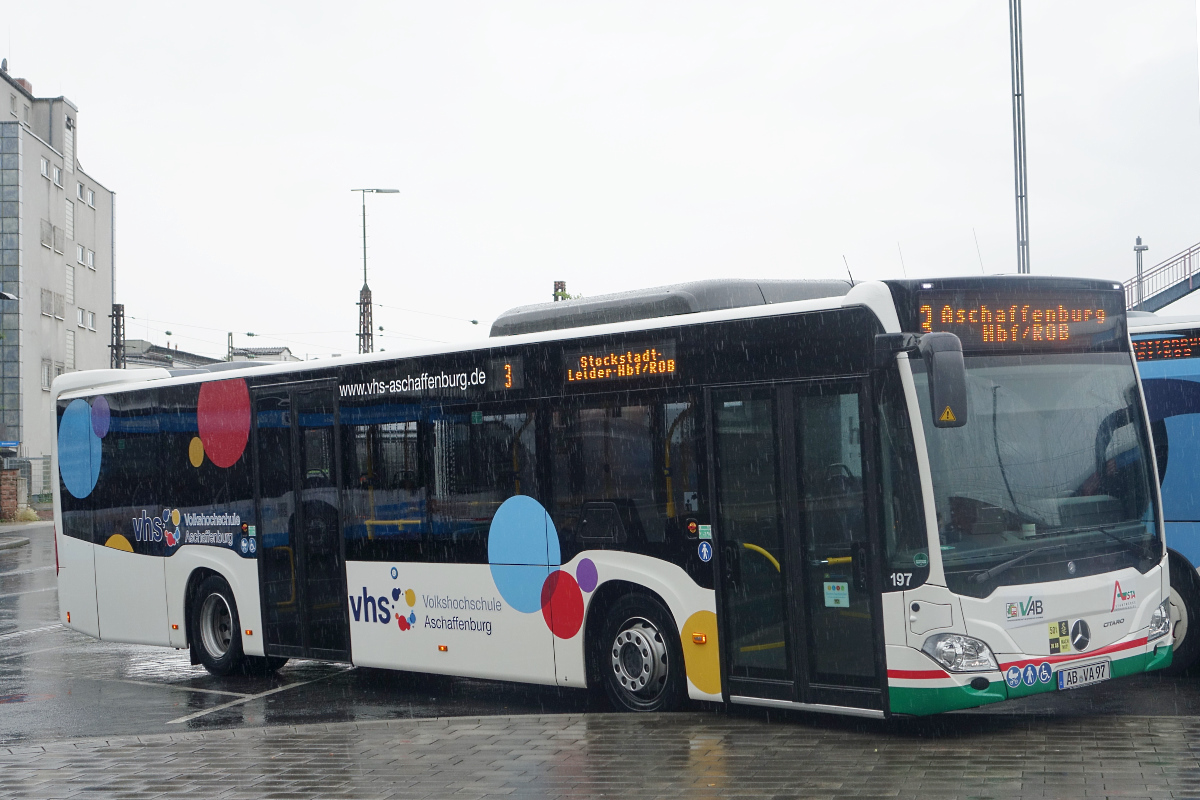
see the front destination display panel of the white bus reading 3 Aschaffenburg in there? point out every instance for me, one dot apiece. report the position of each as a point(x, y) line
point(1042, 323)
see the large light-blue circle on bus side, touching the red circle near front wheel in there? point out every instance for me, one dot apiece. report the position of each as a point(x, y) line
point(523, 546)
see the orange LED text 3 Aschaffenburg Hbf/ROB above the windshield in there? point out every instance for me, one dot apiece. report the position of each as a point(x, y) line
point(1012, 324)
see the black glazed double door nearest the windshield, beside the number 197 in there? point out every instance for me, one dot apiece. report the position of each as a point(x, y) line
point(797, 590)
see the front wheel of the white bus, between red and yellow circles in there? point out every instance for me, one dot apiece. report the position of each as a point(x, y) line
point(641, 658)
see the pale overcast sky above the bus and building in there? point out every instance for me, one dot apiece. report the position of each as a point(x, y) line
point(614, 146)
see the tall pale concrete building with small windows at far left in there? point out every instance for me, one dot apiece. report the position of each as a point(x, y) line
point(56, 256)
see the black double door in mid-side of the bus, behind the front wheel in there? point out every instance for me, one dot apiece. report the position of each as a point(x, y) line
point(302, 564)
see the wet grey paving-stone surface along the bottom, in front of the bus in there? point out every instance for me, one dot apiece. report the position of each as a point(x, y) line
point(722, 755)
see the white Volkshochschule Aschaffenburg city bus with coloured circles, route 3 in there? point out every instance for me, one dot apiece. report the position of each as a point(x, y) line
point(896, 498)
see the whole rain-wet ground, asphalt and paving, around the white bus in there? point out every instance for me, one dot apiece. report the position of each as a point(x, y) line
point(64, 690)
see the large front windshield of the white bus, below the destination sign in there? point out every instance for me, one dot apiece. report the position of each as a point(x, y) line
point(1051, 477)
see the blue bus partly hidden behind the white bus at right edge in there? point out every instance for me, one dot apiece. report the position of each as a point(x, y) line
point(1168, 352)
